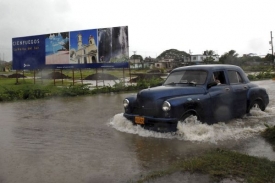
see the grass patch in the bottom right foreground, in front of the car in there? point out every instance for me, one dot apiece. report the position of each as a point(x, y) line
point(220, 164)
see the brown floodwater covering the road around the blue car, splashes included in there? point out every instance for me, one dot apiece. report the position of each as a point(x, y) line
point(86, 139)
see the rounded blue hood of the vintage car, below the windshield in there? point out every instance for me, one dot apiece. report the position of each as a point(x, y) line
point(164, 92)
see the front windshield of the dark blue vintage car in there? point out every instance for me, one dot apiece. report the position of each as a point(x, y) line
point(186, 76)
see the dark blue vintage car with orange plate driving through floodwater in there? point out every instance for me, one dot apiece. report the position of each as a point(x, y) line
point(212, 93)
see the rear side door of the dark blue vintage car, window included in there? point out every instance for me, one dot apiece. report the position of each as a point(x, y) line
point(239, 93)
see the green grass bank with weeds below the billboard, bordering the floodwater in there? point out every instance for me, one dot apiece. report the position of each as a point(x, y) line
point(12, 89)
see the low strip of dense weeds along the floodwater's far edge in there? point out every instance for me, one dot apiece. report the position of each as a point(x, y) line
point(30, 91)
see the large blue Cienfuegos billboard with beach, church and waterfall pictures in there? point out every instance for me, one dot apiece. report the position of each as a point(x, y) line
point(93, 48)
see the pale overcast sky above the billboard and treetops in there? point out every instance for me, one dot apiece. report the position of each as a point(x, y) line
point(154, 25)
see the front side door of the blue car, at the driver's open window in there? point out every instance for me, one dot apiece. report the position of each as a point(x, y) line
point(221, 97)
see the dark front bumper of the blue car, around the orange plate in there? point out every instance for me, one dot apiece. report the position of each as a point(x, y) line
point(155, 124)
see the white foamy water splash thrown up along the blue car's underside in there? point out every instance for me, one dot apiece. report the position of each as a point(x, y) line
point(194, 130)
